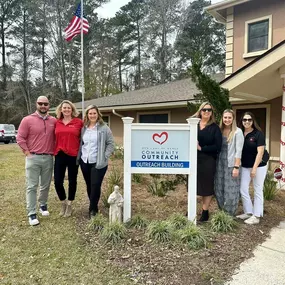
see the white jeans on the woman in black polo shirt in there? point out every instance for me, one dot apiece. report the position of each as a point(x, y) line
point(257, 207)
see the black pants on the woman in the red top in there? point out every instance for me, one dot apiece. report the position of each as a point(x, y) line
point(63, 161)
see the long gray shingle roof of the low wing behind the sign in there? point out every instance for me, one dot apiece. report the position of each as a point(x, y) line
point(172, 94)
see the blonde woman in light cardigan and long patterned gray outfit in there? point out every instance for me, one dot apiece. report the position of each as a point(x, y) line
point(227, 180)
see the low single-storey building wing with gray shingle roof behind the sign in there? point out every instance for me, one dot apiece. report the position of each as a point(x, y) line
point(164, 103)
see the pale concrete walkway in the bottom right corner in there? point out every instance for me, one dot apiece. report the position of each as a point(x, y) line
point(267, 267)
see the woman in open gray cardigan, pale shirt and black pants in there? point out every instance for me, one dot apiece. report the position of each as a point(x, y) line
point(96, 146)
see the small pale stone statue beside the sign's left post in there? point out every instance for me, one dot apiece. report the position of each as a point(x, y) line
point(116, 201)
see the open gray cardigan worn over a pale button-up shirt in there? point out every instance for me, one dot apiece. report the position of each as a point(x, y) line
point(105, 144)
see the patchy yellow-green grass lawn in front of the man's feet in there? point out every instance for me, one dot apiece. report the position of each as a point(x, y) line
point(53, 252)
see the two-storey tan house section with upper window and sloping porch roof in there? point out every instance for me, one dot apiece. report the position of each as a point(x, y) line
point(255, 63)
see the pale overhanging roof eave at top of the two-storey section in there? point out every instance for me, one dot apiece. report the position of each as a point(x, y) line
point(219, 10)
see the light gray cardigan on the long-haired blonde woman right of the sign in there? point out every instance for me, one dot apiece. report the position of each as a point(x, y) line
point(235, 147)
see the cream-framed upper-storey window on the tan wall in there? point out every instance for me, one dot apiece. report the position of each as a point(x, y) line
point(258, 35)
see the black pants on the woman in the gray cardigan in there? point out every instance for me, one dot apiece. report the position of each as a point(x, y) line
point(93, 178)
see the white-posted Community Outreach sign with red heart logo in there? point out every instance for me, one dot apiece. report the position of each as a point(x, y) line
point(160, 149)
